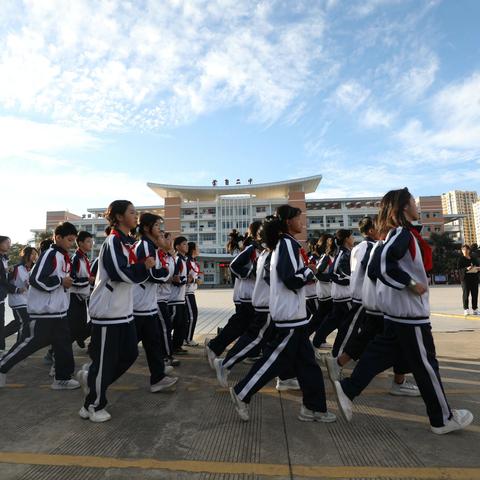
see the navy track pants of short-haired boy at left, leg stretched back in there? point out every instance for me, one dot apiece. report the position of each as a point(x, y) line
point(44, 332)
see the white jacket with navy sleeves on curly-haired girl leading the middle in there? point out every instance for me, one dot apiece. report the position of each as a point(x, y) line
point(288, 277)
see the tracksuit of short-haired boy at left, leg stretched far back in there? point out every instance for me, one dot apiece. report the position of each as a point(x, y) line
point(47, 305)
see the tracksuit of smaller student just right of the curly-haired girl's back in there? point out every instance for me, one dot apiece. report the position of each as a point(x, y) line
point(323, 287)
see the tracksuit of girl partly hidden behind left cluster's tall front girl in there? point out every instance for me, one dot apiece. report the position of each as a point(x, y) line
point(145, 310)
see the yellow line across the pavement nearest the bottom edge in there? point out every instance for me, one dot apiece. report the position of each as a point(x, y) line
point(264, 469)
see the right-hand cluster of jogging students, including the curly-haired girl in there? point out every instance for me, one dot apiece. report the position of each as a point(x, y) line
point(374, 294)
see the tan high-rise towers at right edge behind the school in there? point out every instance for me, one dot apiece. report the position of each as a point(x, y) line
point(461, 202)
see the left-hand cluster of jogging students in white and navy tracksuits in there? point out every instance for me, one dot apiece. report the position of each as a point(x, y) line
point(138, 289)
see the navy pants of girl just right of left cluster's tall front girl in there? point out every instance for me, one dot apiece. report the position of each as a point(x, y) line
point(148, 332)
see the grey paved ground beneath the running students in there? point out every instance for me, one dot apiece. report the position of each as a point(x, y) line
point(195, 434)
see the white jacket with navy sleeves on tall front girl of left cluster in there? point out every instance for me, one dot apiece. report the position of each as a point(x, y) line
point(111, 301)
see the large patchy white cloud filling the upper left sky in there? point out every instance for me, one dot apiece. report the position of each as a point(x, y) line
point(114, 64)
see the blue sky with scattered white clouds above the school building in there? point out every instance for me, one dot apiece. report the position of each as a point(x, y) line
point(96, 99)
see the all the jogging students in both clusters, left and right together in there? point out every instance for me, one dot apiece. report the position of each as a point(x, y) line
point(287, 302)
